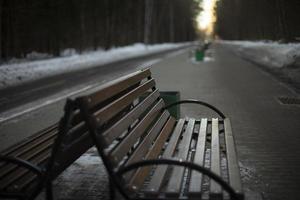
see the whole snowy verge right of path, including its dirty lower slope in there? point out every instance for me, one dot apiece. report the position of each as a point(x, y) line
point(282, 59)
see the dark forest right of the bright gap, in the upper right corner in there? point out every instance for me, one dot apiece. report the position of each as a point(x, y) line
point(258, 19)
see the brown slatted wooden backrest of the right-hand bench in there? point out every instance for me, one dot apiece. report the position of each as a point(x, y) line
point(125, 118)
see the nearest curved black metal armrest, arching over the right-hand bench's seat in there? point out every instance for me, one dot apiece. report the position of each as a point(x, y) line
point(190, 165)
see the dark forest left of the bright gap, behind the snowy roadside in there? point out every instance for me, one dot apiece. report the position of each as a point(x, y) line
point(49, 26)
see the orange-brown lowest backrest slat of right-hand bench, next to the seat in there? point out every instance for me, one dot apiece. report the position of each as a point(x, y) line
point(138, 178)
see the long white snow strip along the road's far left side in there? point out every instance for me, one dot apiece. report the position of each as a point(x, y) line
point(13, 74)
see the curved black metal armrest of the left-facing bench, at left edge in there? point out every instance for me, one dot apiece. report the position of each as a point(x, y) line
point(22, 163)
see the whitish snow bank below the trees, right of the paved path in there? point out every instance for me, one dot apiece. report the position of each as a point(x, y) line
point(269, 54)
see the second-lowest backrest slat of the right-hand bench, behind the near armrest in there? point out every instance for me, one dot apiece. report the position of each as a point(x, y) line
point(145, 145)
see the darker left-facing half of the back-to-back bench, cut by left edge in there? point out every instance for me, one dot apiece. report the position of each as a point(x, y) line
point(29, 166)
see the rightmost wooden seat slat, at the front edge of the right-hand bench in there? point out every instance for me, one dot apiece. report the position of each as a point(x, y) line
point(232, 163)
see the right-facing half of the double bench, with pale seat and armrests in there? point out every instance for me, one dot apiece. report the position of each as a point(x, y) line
point(151, 155)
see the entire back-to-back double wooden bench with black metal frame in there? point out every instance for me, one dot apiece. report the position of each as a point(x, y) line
point(148, 153)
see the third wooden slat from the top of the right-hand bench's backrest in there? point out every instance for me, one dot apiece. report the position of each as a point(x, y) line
point(113, 132)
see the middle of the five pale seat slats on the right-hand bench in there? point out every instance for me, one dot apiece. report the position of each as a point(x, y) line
point(196, 177)
